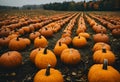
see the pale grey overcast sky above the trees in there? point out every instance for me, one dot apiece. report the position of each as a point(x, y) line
point(28, 2)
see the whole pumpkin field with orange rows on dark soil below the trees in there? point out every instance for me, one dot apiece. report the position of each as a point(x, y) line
point(67, 46)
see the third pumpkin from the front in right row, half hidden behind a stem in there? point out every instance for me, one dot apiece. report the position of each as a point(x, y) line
point(100, 45)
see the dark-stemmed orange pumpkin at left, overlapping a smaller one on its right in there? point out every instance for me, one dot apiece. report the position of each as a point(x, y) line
point(17, 44)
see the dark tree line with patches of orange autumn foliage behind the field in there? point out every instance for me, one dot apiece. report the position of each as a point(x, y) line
point(100, 5)
